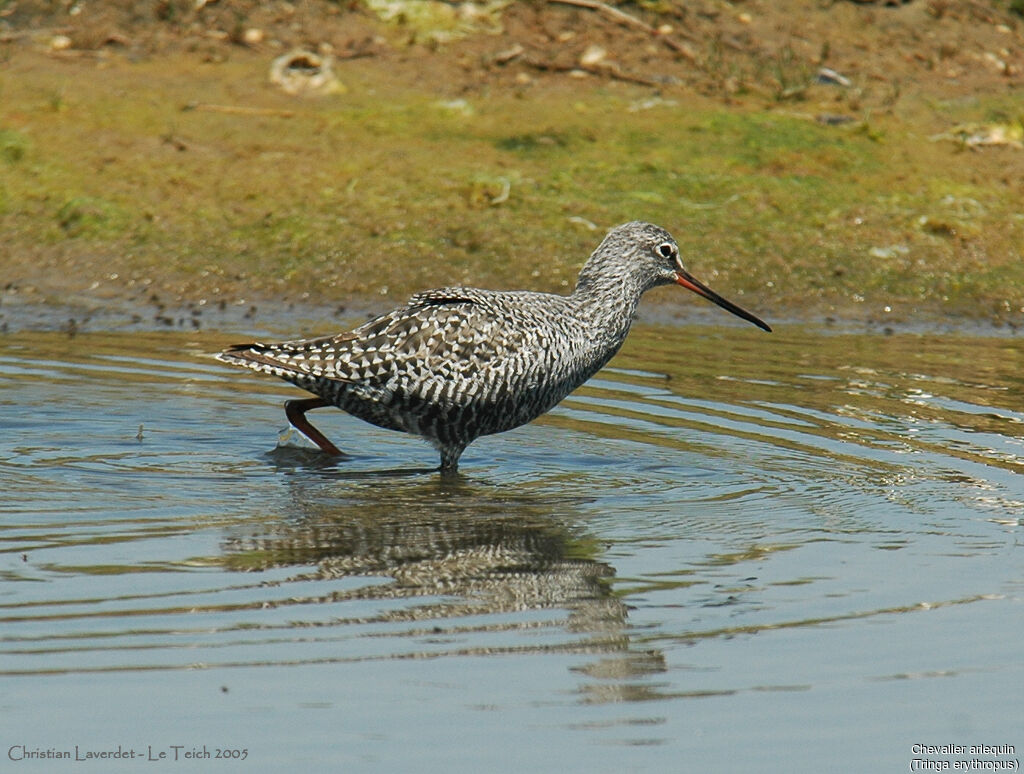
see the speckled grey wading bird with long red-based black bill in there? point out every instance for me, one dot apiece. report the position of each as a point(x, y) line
point(456, 364)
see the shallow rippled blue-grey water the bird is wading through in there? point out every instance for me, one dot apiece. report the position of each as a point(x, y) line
point(730, 552)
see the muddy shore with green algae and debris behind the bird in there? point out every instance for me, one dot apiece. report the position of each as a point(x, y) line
point(820, 162)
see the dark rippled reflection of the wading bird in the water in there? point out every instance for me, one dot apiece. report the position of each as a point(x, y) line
point(467, 558)
